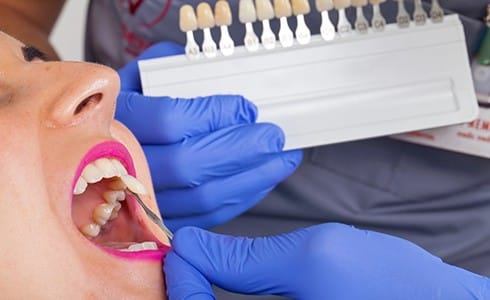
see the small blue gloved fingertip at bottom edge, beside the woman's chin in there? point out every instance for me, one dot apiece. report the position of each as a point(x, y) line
point(184, 281)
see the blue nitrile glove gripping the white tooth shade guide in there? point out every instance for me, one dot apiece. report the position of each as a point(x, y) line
point(209, 160)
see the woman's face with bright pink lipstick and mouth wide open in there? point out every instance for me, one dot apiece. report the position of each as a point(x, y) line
point(57, 133)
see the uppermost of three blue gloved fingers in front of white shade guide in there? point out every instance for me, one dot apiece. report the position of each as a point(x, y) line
point(163, 120)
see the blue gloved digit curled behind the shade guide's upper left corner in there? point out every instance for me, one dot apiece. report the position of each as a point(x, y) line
point(129, 74)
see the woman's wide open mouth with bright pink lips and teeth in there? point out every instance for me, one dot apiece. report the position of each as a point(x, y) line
point(103, 210)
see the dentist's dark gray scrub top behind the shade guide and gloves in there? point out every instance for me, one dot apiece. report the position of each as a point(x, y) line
point(437, 199)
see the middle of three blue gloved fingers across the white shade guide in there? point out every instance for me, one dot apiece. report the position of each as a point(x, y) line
point(203, 158)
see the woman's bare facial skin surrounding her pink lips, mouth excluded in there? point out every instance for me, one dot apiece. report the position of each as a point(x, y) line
point(44, 255)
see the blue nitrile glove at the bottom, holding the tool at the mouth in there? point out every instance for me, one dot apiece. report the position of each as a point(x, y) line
point(323, 262)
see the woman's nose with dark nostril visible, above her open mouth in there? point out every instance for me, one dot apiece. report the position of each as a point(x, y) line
point(79, 93)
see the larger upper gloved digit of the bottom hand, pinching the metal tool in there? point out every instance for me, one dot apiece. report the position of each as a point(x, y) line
point(239, 264)
